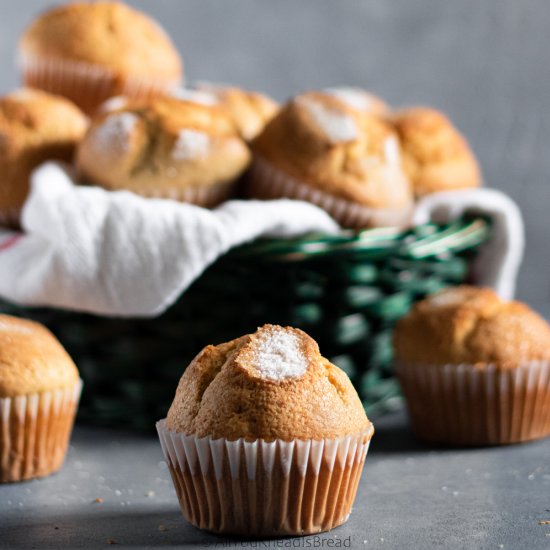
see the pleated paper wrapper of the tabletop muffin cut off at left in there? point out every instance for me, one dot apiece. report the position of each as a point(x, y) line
point(35, 431)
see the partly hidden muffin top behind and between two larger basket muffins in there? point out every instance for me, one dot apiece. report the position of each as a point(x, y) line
point(250, 111)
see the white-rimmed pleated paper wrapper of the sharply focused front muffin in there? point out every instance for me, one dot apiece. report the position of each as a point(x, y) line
point(265, 488)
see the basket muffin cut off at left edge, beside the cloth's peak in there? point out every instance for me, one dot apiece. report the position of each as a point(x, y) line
point(34, 127)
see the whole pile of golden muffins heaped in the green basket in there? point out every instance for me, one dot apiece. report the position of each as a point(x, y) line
point(340, 148)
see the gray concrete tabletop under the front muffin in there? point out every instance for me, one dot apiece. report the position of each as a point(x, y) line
point(411, 496)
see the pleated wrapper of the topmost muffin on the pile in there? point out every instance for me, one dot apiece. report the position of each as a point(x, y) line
point(86, 84)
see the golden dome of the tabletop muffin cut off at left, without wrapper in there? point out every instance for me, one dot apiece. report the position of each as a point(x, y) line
point(31, 359)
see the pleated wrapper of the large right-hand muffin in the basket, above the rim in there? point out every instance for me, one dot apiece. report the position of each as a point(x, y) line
point(266, 182)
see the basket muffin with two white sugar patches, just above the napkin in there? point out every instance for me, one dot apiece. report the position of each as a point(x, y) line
point(164, 147)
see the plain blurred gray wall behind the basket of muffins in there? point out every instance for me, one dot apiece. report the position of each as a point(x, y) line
point(487, 64)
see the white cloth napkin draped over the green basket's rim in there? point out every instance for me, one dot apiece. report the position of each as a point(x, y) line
point(114, 253)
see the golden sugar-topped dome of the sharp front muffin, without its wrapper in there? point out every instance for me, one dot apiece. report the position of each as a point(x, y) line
point(273, 384)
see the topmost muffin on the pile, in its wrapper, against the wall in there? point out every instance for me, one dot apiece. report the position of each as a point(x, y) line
point(90, 51)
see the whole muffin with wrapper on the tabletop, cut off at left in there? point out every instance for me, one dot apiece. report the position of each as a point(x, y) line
point(39, 393)
